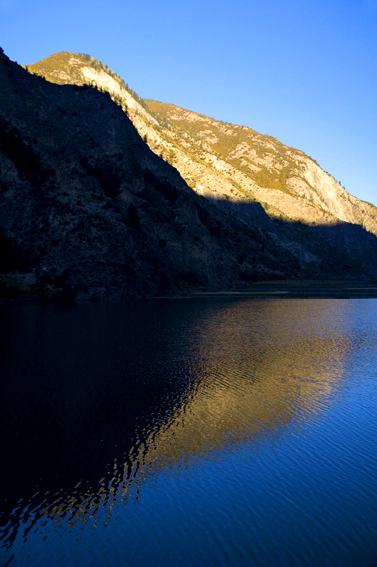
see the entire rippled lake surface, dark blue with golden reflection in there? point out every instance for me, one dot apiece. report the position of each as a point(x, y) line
point(193, 432)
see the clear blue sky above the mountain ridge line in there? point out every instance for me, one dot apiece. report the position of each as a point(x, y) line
point(304, 71)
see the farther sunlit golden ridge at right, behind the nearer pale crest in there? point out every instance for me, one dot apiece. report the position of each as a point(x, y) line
point(288, 183)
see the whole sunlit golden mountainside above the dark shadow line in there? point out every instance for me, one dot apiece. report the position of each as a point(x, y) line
point(222, 160)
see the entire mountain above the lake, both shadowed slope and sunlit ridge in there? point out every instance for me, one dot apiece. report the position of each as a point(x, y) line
point(88, 211)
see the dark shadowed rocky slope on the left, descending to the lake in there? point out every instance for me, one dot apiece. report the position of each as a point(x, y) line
point(87, 210)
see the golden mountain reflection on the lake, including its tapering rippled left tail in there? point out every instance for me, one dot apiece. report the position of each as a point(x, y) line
point(257, 370)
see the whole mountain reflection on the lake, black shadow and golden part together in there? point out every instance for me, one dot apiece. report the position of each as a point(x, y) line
point(99, 398)
